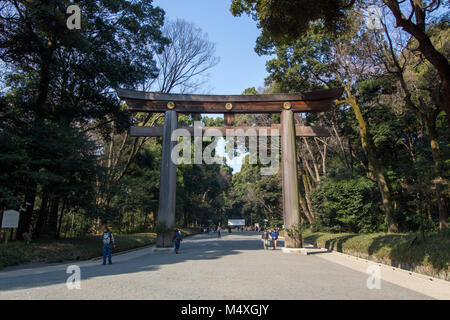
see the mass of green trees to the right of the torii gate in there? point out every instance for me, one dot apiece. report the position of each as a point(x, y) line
point(385, 168)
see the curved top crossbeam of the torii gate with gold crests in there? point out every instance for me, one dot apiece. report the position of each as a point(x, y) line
point(318, 101)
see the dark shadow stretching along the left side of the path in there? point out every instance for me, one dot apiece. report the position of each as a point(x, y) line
point(199, 247)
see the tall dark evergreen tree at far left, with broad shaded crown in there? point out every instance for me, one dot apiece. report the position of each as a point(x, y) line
point(65, 78)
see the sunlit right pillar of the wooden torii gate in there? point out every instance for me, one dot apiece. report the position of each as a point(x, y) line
point(291, 210)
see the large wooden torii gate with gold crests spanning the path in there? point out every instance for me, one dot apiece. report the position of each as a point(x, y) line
point(287, 104)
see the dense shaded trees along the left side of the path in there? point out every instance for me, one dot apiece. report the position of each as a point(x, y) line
point(66, 156)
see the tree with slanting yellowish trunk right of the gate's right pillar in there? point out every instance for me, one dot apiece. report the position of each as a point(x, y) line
point(317, 61)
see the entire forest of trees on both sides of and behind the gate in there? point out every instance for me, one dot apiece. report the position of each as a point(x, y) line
point(66, 156)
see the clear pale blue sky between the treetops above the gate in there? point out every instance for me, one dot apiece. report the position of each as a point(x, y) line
point(239, 67)
